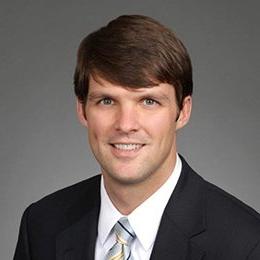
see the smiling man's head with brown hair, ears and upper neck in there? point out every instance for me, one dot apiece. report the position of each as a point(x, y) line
point(133, 82)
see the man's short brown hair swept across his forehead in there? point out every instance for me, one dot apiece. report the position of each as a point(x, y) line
point(134, 51)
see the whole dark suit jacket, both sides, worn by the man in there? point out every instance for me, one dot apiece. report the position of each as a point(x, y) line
point(200, 222)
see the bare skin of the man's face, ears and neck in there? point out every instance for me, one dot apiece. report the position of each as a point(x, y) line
point(145, 117)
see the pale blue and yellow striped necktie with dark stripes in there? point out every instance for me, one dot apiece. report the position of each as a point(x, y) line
point(124, 236)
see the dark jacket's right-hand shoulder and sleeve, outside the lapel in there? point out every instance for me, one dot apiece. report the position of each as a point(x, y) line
point(232, 228)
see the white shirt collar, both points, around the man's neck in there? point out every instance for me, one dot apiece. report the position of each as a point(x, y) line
point(154, 206)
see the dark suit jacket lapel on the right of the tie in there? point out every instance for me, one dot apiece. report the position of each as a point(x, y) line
point(183, 220)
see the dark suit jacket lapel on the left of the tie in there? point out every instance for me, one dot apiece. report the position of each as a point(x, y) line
point(77, 241)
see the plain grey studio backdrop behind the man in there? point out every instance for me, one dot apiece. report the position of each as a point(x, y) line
point(44, 148)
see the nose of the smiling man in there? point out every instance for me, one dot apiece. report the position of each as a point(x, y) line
point(127, 119)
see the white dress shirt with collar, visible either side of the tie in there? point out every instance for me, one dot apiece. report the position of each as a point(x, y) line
point(144, 220)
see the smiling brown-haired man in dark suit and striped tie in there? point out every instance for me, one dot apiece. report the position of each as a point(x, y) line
point(133, 83)
